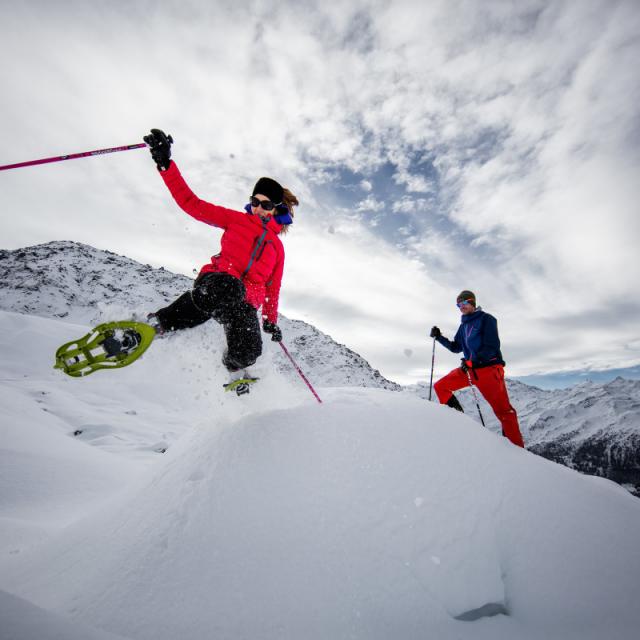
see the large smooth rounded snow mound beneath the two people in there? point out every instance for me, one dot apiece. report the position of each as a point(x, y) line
point(371, 516)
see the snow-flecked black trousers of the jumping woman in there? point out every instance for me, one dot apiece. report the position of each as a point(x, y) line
point(222, 297)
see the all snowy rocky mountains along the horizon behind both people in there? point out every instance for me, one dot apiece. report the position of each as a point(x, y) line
point(593, 428)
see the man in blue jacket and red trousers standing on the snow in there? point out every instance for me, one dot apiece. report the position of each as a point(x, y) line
point(478, 339)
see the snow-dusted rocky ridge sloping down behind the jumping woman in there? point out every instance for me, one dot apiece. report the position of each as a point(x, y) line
point(81, 284)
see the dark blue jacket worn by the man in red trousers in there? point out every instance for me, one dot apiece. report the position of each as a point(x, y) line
point(477, 337)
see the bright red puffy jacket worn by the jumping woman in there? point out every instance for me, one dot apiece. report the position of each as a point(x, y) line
point(250, 248)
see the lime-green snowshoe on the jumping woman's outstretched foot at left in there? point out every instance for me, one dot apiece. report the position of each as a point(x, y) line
point(109, 346)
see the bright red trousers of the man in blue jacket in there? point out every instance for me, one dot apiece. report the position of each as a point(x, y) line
point(490, 382)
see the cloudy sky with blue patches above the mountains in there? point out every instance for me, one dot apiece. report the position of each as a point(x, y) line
point(434, 147)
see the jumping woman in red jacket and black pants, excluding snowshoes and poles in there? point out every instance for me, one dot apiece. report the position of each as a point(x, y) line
point(244, 276)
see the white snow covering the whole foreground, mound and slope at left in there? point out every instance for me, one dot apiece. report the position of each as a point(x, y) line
point(373, 515)
